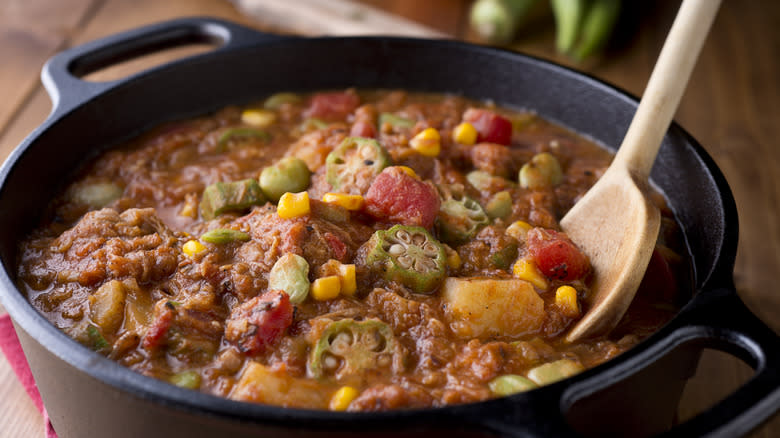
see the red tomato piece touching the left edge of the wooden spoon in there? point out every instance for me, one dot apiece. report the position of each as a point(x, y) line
point(556, 255)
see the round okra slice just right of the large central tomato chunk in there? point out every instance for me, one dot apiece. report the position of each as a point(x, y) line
point(460, 219)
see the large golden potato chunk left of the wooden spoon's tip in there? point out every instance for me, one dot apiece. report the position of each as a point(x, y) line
point(482, 307)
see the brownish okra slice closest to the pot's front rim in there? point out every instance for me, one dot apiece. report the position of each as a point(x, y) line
point(348, 348)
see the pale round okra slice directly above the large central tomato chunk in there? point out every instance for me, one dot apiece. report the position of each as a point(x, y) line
point(352, 166)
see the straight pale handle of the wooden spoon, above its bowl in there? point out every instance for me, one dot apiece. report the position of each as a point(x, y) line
point(666, 86)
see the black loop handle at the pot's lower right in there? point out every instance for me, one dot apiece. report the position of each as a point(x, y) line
point(723, 322)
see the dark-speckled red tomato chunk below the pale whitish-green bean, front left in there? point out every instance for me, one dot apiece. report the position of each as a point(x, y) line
point(259, 322)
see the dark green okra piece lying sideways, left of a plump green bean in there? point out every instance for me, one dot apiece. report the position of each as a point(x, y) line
point(222, 197)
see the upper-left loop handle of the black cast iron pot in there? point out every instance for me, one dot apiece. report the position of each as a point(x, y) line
point(61, 74)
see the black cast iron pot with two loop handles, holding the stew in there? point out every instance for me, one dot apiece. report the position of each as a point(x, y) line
point(635, 394)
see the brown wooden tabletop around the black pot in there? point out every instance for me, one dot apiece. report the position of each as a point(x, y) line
point(732, 107)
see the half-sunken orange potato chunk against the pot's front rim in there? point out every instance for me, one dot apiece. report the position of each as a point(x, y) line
point(261, 384)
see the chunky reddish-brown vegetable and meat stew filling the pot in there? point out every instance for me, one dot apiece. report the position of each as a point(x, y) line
point(339, 250)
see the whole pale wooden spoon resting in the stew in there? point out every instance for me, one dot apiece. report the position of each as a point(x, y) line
point(615, 223)
